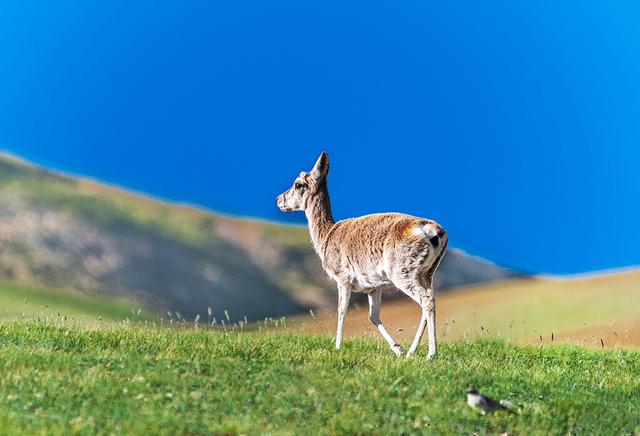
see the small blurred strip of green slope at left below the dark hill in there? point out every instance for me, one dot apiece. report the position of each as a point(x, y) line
point(28, 302)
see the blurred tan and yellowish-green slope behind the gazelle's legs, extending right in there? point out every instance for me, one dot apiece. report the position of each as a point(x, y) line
point(581, 311)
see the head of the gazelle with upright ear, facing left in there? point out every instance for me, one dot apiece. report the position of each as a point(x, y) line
point(305, 186)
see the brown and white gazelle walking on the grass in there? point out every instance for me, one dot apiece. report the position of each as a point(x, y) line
point(371, 252)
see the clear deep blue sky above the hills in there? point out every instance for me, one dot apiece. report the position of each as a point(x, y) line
point(514, 124)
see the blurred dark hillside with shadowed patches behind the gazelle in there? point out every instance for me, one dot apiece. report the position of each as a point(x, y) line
point(65, 232)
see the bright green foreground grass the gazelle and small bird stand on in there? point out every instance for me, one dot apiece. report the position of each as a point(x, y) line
point(59, 379)
